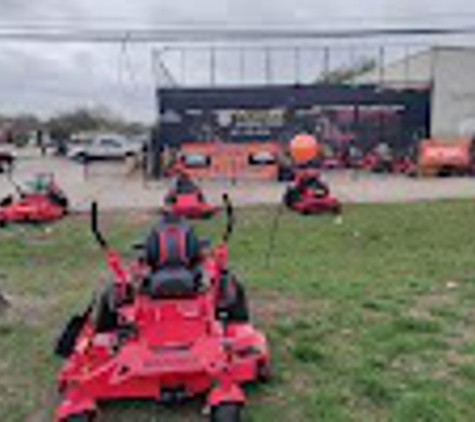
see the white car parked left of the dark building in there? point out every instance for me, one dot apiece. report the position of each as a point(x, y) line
point(106, 147)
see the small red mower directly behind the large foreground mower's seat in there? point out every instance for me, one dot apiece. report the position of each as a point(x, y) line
point(187, 200)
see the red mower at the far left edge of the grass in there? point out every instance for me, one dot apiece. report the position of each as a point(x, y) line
point(42, 201)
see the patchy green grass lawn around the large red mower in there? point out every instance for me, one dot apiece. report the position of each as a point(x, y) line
point(370, 318)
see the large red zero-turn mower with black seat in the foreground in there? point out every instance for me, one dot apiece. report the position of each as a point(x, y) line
point(174, 324)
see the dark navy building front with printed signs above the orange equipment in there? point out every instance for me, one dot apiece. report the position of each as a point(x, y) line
point(337, 114)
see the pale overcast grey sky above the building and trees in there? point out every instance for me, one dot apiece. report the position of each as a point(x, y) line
point(48, 78)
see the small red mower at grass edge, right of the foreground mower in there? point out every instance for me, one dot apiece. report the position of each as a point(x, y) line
point(309, 195)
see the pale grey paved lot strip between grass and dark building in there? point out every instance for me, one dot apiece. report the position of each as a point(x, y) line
point(116, 186)
